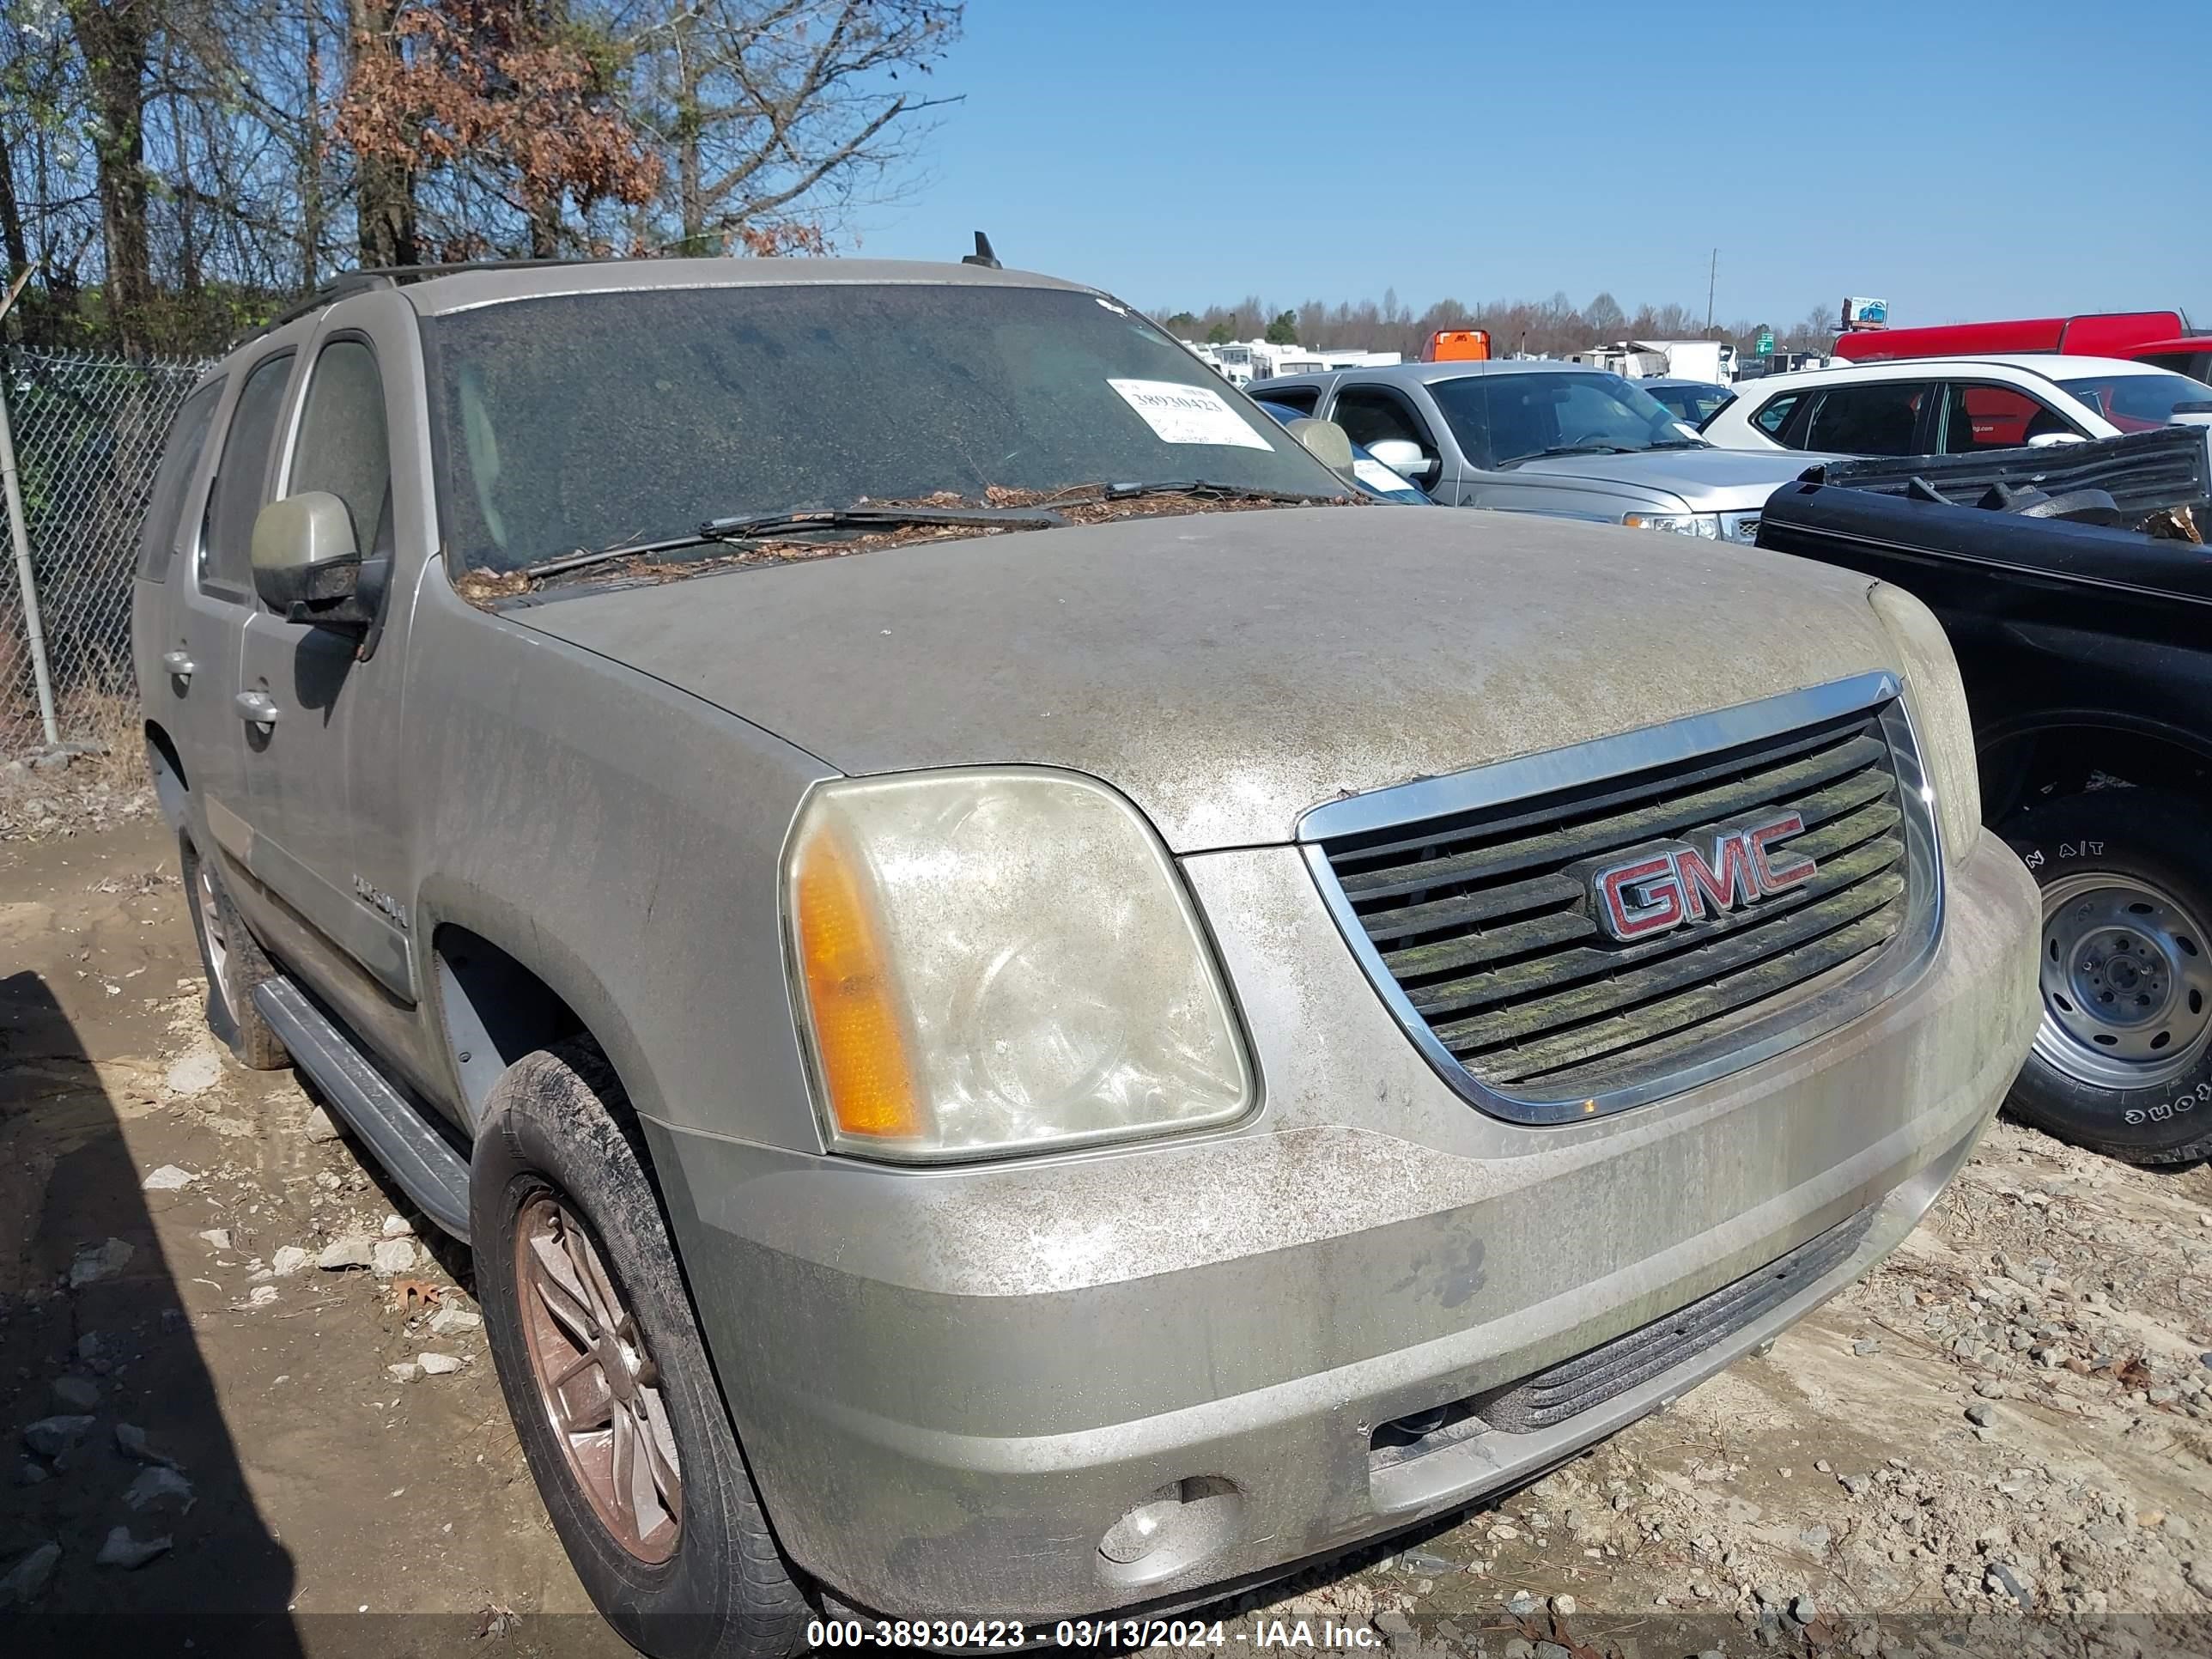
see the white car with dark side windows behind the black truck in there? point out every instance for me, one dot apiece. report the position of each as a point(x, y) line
point(1950, 406)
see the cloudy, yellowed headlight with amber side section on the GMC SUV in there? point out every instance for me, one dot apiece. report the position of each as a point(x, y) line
point(1001, 961)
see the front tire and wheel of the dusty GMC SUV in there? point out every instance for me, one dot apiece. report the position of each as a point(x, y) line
point(556, 1160)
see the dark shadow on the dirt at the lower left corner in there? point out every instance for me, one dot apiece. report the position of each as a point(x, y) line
point(121, 1441)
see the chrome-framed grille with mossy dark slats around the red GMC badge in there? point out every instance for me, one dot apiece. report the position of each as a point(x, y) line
point(1481, 928)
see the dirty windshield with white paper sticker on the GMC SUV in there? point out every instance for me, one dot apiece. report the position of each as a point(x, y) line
point(596, 421)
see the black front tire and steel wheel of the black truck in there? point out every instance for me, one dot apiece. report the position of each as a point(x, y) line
point(2125, 1054)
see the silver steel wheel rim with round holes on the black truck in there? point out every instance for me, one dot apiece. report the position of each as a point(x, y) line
point(2127, 979)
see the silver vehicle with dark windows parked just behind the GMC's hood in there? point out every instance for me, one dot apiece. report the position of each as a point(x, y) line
point(1543, 439)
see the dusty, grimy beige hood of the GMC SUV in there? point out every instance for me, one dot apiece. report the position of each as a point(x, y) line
point(1231, 671)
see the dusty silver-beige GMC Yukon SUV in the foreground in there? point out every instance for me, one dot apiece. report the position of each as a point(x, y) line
point(1025, 1005)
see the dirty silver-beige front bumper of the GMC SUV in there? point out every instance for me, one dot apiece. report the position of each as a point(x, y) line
point(952, 1384)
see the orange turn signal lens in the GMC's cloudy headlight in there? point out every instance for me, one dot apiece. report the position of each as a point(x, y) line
point(859, 1043)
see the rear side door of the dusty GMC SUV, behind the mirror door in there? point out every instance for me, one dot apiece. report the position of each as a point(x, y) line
point(211, 598)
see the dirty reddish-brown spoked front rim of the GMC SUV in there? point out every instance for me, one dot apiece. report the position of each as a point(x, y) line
point(596, 1381)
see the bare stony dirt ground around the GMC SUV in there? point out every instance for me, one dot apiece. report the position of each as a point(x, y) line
point(2010, 1415)
